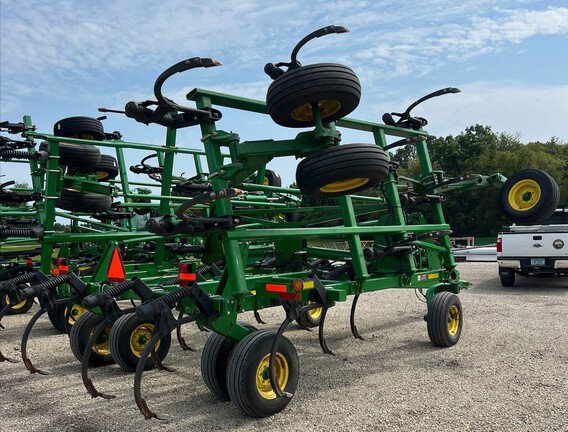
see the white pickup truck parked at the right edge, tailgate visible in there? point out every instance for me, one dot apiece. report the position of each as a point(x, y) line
point(534, 249)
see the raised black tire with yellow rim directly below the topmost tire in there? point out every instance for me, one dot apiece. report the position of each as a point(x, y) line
point(342, 170)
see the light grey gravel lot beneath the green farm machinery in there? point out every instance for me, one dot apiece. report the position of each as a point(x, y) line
point(509, 371)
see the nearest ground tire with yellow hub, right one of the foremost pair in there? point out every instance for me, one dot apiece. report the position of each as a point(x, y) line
point(247, 379)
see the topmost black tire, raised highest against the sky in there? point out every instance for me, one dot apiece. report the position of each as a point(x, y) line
point(334, 87)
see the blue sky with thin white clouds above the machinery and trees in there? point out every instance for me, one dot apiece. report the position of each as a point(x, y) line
point(67, 58)
